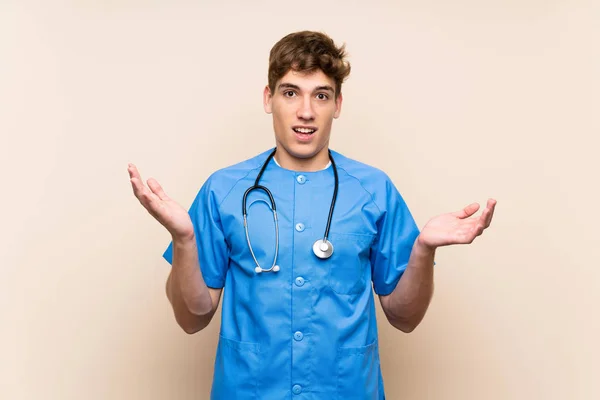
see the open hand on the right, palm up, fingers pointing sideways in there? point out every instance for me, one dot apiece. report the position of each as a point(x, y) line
point(456, 227)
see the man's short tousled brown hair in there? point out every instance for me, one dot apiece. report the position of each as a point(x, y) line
point(308, 51)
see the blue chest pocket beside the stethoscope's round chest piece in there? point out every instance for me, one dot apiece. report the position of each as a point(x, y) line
point(349, 265)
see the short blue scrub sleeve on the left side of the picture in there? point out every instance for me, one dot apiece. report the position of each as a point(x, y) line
point(213, 251)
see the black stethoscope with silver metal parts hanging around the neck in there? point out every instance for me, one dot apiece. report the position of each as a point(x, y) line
point(322, 247)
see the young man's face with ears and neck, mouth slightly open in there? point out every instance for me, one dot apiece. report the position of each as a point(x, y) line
point(303, 107)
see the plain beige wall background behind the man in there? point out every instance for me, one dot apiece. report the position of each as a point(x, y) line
point(457, 101)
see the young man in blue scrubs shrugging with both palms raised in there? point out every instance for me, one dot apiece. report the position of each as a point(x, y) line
point(301, 253)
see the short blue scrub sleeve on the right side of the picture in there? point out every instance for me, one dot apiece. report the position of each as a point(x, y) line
point(396, 234)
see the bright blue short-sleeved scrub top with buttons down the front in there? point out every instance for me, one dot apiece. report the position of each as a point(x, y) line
point(308, 331)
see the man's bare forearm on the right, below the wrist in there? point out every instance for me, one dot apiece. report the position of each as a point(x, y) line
point(407, 304)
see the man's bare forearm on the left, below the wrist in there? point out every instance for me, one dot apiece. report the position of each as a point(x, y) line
point(186, 288)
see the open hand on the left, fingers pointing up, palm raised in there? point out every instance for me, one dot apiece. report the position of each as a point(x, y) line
point(166, 211)
